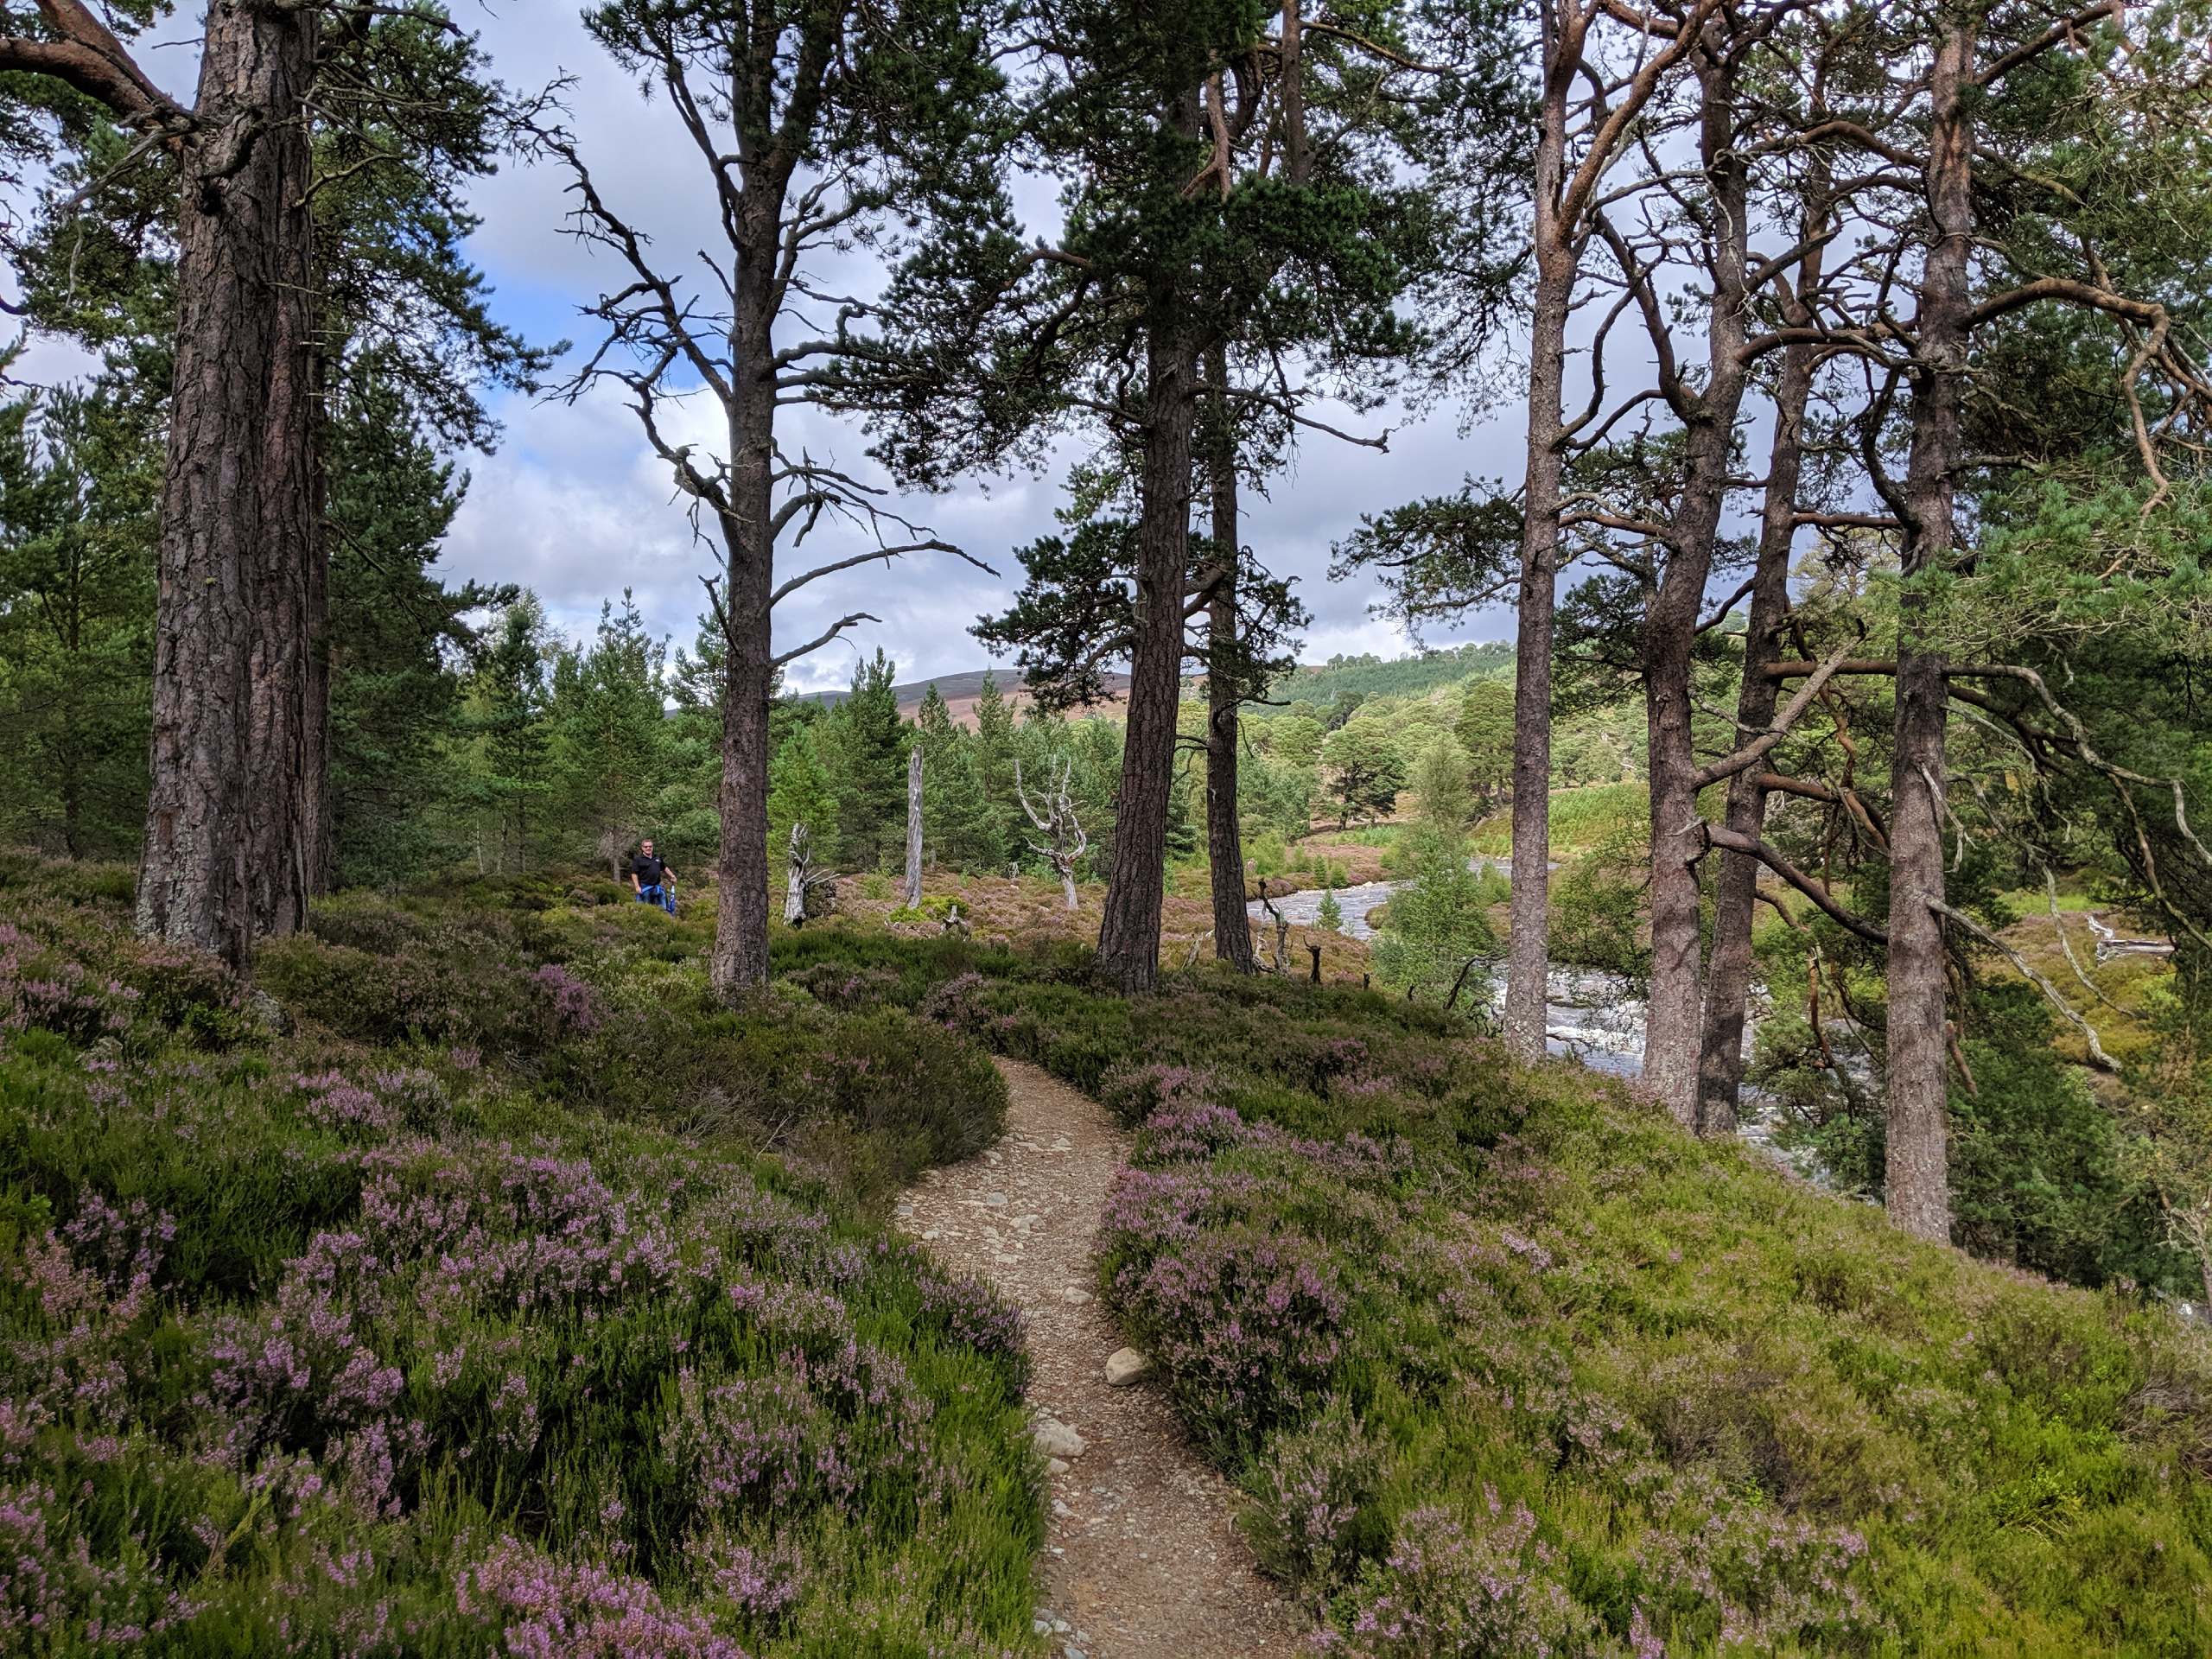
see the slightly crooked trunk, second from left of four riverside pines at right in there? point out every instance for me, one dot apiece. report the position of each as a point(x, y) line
point(1671, 1034)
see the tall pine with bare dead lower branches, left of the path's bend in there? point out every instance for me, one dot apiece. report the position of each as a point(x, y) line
point(795, 121)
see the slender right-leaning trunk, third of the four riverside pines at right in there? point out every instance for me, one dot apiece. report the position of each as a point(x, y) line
point(1729, 977)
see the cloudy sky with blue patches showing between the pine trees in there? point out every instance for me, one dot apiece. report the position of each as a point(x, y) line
point(578, 508)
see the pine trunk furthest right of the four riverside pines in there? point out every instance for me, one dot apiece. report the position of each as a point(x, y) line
point(1919, 1189)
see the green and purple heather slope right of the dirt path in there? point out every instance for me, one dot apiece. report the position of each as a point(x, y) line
point(1507, 1366)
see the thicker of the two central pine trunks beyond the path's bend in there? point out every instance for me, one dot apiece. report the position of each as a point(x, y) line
point(1129, 932)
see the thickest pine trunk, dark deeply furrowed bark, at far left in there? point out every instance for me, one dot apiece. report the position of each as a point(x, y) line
point(231, 733)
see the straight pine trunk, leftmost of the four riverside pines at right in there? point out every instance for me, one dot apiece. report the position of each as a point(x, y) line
point(1530, 946)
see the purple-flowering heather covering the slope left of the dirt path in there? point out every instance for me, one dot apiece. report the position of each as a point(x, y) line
point(386, 1344)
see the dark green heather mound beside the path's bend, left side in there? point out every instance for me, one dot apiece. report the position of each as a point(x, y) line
point(592, 1008)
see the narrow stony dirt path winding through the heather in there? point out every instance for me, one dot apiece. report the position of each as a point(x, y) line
point(1142, 1561)
